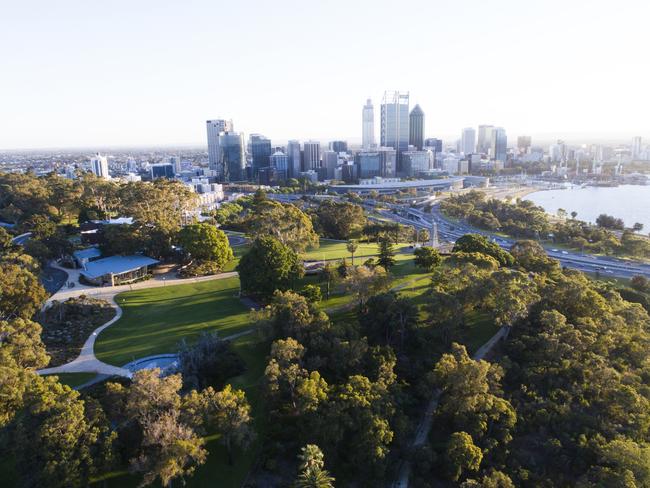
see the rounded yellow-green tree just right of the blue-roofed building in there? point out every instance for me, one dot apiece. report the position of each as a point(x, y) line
point(204, 242)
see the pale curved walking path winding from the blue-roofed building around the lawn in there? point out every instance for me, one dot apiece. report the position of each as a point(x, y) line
point(87, 362)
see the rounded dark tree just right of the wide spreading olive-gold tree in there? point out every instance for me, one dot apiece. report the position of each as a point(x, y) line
point(340, 220)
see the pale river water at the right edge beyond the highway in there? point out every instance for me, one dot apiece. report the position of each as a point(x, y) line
point(628, 202)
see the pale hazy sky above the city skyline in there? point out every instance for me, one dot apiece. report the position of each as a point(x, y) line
point(84, 73)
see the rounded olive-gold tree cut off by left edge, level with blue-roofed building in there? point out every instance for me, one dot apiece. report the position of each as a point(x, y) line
point(21, 294)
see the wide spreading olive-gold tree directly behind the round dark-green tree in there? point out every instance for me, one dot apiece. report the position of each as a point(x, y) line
point(286, 222)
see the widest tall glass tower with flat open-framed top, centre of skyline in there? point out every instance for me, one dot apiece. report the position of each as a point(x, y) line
point(395, 121)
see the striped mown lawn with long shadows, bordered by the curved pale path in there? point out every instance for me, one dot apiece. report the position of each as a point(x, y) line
point(156, 319)
